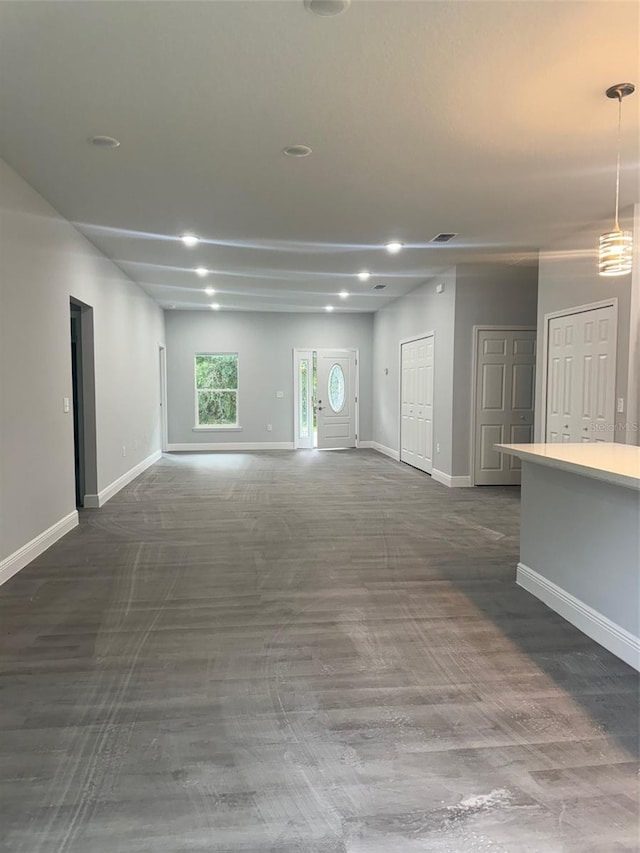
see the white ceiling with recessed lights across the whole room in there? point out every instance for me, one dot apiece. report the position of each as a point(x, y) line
point(484, 118)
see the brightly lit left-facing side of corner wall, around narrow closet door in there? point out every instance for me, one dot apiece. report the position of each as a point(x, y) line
point(420, 311)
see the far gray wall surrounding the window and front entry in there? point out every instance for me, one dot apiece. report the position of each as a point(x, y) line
point(264, 343)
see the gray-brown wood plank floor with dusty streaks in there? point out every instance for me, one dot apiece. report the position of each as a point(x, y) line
point(304, 652)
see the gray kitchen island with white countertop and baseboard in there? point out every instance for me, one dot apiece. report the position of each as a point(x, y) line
point(580, 537)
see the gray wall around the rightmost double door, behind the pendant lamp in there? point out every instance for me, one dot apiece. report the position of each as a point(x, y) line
point(568, 278)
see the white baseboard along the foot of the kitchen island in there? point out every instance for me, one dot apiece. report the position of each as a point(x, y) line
point(617, 640)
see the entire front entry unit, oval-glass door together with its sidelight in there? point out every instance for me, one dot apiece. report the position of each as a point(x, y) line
point(325, 393)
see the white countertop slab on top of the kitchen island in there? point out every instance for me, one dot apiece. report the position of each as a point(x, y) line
point(613, 463)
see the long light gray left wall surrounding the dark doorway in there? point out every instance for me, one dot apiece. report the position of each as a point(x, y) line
point(44, 261)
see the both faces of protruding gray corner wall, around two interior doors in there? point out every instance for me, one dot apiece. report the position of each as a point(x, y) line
point(473, 294)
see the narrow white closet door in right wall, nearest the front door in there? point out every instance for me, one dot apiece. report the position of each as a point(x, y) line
point(416, 425)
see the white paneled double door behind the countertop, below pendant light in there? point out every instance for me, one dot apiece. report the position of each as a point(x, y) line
point(581, 376)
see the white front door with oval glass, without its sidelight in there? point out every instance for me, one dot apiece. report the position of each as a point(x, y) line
point(336, 398)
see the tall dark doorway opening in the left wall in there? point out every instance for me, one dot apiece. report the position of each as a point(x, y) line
point(84, 404)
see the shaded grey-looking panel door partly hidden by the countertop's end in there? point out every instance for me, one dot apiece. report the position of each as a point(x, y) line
point(505, 384)
